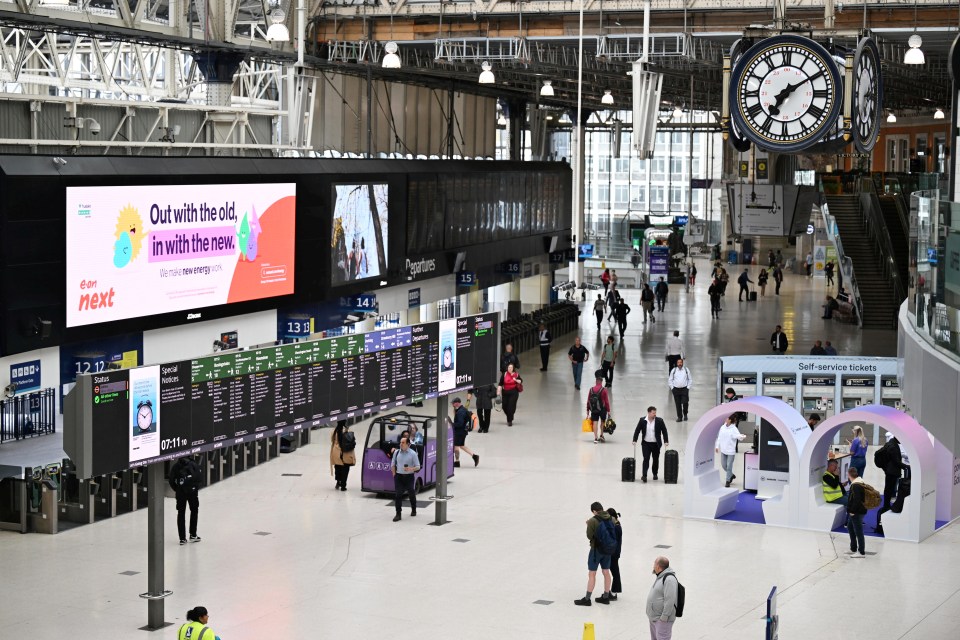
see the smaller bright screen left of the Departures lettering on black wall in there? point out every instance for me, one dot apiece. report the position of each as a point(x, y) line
point(358, 240)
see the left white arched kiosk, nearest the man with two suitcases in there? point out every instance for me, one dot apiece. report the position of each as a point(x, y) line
point(704, 493)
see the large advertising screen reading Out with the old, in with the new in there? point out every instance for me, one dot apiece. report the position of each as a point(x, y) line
point(144, 250)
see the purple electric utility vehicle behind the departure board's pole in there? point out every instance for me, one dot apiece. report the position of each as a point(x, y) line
point(383, 436)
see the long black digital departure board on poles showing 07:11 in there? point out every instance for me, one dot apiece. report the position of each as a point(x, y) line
point(139, 416)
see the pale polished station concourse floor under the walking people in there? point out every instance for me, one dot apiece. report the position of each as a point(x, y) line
point(284, 555)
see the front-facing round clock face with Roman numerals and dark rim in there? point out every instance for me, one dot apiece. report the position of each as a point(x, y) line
point(785, 93)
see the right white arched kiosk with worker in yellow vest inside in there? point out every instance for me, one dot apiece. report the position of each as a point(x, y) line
point(917, 521)
